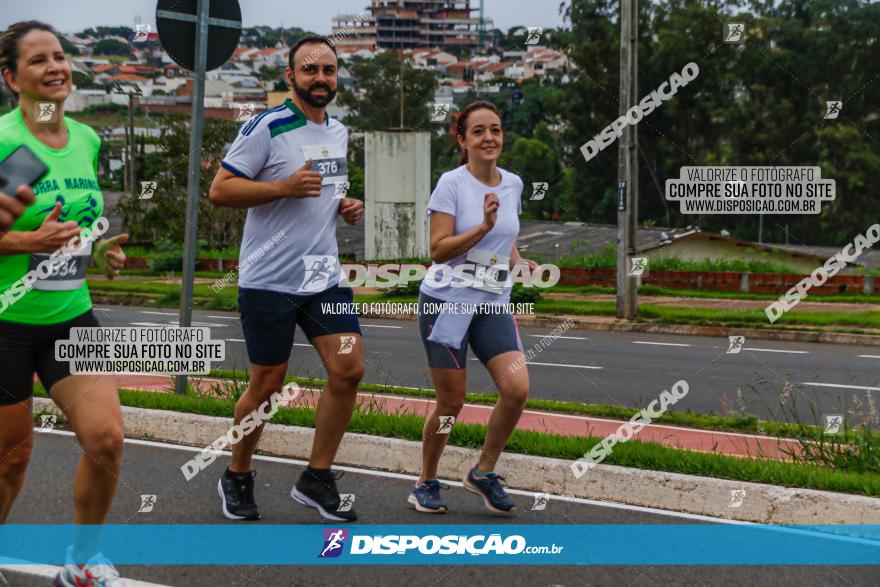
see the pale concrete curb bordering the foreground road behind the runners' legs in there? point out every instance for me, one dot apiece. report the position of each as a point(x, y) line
point(669, 491)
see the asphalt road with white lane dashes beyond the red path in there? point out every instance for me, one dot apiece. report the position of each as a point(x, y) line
point(625, 369)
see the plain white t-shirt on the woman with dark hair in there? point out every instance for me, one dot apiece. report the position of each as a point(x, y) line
point(462, 195)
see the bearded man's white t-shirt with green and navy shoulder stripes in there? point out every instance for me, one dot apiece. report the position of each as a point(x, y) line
point(289, 245)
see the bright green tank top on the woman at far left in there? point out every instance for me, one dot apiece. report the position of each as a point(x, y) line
point(72, 180)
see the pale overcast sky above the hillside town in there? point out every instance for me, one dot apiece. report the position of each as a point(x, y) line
point(314, 15)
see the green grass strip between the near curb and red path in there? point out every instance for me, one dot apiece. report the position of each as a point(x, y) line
point(641, 455)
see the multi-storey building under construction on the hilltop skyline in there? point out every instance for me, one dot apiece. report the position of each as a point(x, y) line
point(409, 24)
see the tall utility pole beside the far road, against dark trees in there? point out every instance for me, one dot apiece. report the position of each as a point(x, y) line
point(627, 163)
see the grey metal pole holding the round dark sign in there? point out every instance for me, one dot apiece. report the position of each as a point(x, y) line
point(194, 174)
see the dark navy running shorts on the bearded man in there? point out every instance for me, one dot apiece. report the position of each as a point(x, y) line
point(269, 320)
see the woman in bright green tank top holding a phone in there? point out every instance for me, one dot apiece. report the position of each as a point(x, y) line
point(42, 297)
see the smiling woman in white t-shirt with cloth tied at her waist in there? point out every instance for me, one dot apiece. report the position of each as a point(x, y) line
point(463, 301)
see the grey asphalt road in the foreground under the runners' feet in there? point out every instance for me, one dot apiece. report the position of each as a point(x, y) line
point(151, 468)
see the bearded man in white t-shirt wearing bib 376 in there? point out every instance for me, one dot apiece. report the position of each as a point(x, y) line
point(287, 167)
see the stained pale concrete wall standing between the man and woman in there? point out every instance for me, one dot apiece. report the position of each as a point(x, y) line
point(397, 189)
